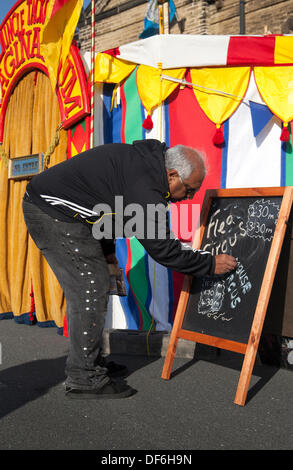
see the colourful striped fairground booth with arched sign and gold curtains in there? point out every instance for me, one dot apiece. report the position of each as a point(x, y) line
point(231, 97)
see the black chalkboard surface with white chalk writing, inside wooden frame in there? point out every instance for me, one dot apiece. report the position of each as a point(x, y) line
point(244, 227)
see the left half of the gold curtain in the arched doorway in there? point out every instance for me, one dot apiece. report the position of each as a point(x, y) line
point(14, 276)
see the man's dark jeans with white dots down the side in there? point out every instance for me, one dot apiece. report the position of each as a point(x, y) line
point(78, 263)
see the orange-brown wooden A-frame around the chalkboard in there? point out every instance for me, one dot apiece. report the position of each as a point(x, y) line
point(249, 350)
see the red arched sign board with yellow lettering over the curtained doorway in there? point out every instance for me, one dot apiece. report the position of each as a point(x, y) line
point(20, 44)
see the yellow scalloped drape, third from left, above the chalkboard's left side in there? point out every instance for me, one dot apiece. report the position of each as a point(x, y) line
point(231, 80)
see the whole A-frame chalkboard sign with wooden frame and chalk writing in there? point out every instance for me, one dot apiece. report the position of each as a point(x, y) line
point(228, 311)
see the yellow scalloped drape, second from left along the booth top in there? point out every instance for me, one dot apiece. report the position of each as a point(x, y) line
point(151, 89)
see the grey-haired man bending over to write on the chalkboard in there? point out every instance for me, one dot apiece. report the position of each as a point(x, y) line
point(63, 205)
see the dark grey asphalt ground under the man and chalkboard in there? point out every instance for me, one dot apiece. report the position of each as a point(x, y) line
point(194, 410)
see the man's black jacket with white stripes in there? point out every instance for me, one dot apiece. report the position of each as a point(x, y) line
point(71, 191)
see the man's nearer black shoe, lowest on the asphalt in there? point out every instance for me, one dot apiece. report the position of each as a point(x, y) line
point(110, 390)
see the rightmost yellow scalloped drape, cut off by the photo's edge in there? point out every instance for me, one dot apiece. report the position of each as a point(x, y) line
point(275, 85)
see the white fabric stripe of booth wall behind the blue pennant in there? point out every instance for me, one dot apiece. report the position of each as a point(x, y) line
point(249, 160)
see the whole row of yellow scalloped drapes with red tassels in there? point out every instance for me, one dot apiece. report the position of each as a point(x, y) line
point(218, 90)
